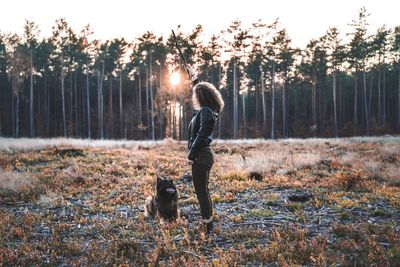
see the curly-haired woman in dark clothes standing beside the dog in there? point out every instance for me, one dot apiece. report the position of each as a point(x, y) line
point(207, 101)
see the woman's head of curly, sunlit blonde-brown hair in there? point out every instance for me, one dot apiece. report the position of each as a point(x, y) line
point(205, 94)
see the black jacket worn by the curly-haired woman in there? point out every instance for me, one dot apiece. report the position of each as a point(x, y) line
point(200, 130)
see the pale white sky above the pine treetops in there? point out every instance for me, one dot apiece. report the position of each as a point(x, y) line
point(304, 20)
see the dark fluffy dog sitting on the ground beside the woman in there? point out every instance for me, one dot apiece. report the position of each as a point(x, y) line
point(164, 205)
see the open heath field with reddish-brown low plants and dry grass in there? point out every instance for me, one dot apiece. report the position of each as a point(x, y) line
point(305, 202)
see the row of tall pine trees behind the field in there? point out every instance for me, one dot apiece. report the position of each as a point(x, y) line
point(72, 85)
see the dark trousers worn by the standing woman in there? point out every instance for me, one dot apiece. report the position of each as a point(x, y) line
point(200, 172)
